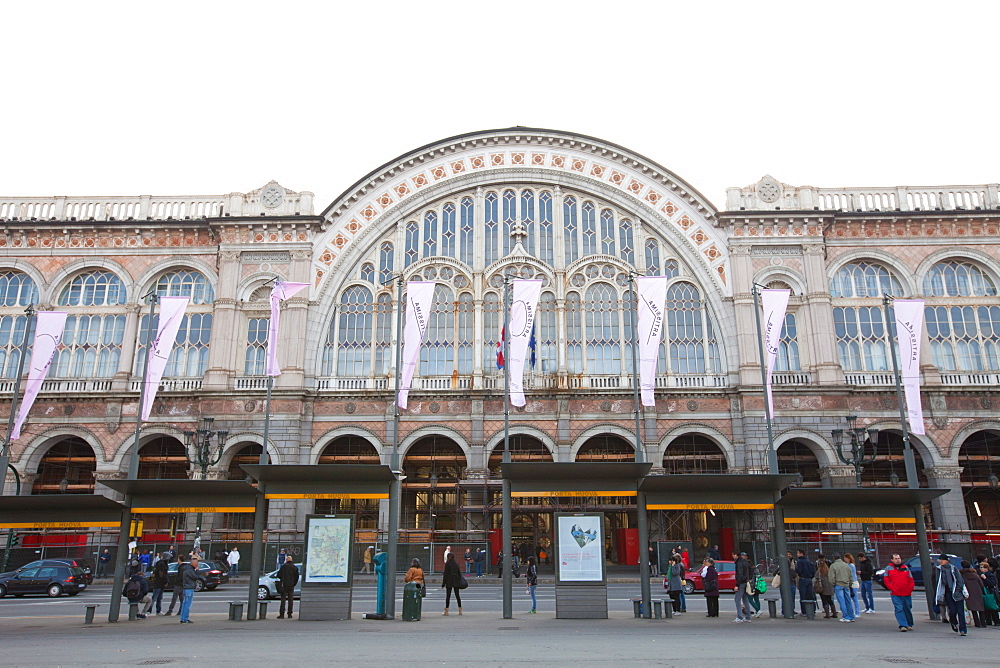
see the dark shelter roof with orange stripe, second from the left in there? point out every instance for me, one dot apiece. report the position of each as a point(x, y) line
point(187, 496)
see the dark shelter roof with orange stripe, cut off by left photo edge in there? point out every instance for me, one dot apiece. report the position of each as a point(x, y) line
point(59, 511)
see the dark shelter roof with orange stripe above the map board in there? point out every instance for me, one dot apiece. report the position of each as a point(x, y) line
point(323, 481)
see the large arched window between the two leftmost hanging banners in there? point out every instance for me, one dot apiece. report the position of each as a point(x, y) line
point(95, 326)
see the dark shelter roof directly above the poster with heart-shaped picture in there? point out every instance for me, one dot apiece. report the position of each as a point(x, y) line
point(573, 479)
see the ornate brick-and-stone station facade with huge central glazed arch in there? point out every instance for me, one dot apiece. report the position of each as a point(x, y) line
point(577, 212)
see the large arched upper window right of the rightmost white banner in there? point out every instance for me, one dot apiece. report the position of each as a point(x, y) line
point(962, 313)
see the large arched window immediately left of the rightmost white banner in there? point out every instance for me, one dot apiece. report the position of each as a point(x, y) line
point(858, 320)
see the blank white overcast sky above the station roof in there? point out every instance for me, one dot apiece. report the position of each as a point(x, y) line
point(179, 98)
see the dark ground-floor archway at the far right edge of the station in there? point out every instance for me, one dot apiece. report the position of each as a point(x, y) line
point(979, 458)
